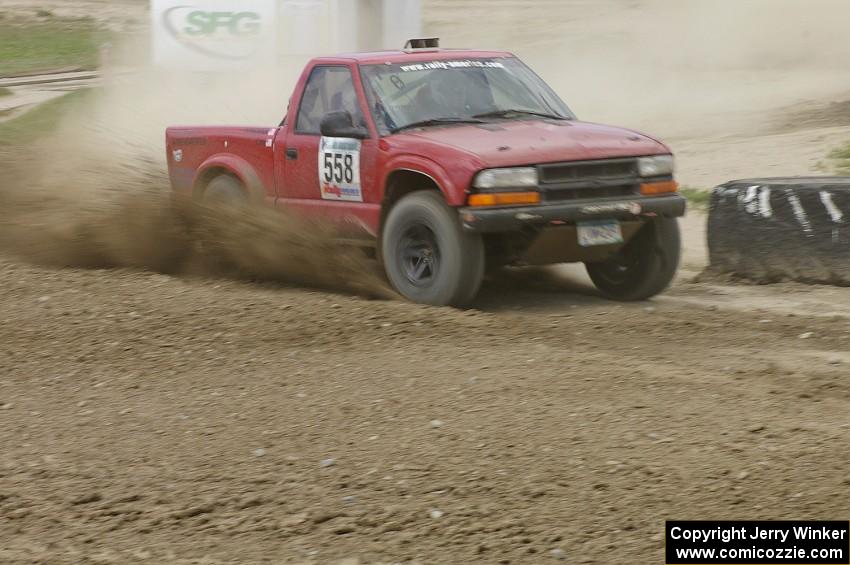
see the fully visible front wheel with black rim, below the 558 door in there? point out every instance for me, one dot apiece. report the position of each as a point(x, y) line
point(427, 256)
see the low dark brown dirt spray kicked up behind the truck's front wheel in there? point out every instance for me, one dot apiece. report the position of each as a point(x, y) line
point(136, 224)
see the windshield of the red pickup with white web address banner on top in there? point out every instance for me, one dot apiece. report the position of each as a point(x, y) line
point(463, 90)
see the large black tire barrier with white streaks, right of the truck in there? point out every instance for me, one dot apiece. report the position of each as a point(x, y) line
point(775, 229)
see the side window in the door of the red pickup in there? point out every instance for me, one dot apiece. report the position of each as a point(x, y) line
point(329, 89)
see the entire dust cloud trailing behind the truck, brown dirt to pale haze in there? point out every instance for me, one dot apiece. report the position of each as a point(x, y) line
point(95, 194)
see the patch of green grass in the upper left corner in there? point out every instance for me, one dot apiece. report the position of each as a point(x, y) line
point(49, 45)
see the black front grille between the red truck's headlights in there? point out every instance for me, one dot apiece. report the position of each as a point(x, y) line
point(608, 178)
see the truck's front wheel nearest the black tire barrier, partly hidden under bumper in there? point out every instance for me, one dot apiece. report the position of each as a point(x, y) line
point(644, 267)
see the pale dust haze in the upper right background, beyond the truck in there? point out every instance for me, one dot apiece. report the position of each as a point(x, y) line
point(677, 68)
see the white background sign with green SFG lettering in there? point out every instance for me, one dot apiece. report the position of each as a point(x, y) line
point(214, 35)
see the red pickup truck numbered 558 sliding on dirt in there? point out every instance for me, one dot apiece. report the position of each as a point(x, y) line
point(446, 163)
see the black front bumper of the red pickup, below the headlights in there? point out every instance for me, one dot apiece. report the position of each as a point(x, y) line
point(508, 219)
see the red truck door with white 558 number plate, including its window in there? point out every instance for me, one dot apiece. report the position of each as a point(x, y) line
point(330, 178)
